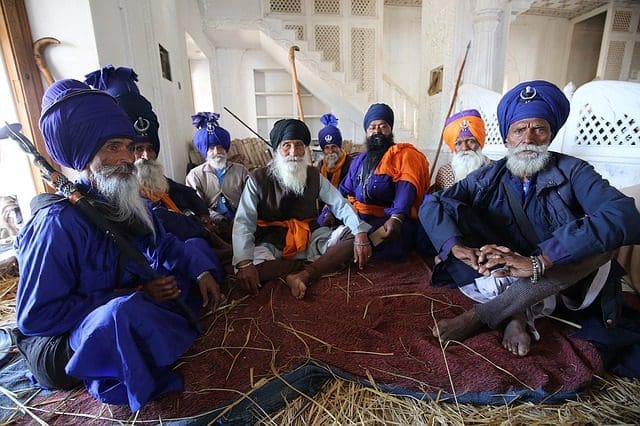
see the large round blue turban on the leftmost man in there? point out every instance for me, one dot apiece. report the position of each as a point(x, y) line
point(76, 121)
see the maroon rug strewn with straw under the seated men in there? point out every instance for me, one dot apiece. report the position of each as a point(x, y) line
point(375, 325)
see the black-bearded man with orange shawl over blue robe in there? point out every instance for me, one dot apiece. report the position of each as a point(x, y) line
point(386, 184)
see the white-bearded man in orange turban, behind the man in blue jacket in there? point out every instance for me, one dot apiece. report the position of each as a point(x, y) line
point(464, 134)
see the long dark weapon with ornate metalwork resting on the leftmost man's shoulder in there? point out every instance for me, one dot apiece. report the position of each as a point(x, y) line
point(79, 201)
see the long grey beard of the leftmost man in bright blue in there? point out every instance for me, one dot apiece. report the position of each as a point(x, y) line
point(123, 195)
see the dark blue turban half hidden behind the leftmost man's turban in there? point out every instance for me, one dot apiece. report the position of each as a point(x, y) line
point(121, 84)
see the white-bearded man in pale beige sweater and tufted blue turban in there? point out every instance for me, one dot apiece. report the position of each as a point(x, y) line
point(218, 182)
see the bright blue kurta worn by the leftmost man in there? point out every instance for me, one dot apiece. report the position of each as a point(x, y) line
point(124, 342)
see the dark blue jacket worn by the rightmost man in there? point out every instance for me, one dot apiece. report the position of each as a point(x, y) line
point(574, 211)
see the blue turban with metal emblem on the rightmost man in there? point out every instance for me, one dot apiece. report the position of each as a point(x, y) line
point(533, 99)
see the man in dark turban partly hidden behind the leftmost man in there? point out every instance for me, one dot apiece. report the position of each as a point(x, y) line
point(179, 208)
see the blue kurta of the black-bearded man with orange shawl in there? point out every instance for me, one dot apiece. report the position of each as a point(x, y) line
point(395, 197)
